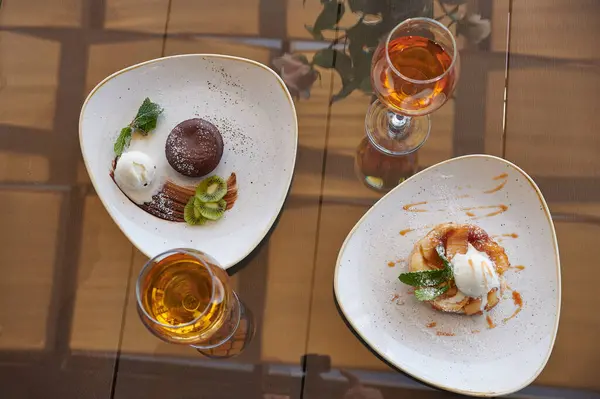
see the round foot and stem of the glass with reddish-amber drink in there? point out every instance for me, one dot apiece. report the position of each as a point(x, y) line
point(394, 134)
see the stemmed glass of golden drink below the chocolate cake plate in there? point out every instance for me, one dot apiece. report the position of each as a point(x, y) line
point(184, 297)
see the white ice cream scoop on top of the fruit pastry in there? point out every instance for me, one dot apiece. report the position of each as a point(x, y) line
point(474, 273)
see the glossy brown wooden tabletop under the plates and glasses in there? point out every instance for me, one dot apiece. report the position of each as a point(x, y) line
point(68, 272)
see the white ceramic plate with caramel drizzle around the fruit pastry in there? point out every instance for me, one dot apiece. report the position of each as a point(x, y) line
point(392, 322)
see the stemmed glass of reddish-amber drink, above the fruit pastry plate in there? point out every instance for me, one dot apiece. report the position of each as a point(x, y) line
point(413, 73)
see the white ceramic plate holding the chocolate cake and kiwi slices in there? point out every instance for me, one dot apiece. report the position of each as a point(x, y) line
point(254, 112)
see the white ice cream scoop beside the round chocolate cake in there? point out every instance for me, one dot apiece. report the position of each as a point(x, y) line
point(135, 170)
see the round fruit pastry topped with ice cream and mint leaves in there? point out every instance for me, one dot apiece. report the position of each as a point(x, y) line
point(457, 268)
